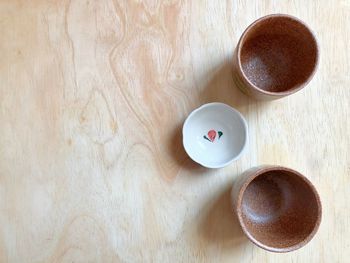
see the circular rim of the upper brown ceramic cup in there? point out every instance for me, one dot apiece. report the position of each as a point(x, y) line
point(239, 49)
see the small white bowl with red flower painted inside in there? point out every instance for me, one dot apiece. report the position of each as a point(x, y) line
point(214, 135)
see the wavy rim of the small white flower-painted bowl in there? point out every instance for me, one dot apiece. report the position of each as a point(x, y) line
point(234, 111)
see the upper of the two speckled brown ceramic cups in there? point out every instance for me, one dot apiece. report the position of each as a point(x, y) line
point(276, 56)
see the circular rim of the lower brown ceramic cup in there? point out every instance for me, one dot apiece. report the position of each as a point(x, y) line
point(264, 170)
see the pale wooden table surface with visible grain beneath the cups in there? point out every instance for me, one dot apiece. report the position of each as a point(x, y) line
point(93, 96)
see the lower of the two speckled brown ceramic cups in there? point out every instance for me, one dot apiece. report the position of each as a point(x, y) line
point(278, 208)
